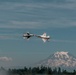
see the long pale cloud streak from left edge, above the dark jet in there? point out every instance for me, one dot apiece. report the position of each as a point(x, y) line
point(22, 24)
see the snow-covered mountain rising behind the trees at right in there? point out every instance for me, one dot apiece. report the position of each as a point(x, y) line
point(59, 59)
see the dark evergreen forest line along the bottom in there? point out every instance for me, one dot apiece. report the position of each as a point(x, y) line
point(38, 71)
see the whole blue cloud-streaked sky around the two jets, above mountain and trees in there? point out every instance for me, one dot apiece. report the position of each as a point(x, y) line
point(55, 17)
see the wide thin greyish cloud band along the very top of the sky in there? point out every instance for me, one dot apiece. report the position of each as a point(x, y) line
point(67, 4)
